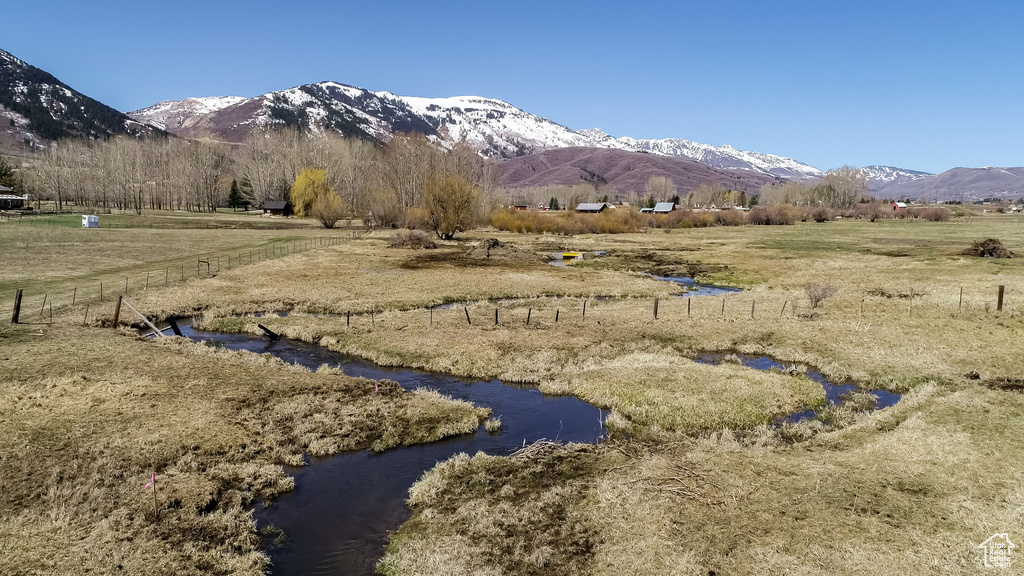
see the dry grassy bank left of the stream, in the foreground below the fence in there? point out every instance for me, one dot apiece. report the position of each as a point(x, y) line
point(92, 414)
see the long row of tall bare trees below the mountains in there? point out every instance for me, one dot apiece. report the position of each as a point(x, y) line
point(383, 185)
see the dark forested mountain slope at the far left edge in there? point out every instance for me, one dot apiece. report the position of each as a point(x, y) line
point(36, 108)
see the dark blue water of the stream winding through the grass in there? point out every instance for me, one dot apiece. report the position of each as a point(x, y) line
point(337, 519)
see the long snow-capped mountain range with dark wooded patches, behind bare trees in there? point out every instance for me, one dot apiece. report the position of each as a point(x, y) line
point(494, 128)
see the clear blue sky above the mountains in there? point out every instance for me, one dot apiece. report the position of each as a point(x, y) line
point(915, 85)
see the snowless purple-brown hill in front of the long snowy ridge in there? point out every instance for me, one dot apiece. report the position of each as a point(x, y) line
point(627, 171)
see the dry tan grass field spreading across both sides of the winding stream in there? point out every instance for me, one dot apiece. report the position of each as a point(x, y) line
point(700, 484)
